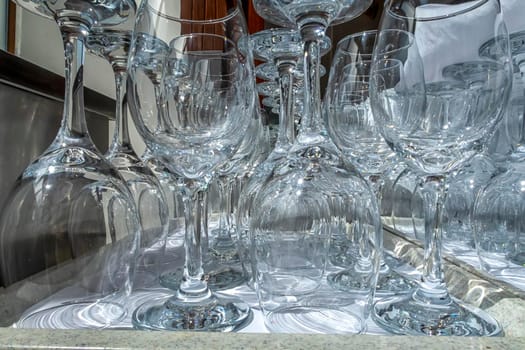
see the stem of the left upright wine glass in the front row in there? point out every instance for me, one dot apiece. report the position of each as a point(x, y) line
point(193, 286)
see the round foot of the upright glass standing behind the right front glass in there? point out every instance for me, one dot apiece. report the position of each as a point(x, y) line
point(388, 282)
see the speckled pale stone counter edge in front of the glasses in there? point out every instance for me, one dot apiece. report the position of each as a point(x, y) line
point(123, 339)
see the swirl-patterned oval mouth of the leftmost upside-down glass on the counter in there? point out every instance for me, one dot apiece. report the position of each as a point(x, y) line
point(81, 315)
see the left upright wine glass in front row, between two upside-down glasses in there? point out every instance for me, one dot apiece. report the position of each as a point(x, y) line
point(208, 96)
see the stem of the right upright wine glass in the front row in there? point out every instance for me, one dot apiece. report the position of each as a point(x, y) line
point(432, 288)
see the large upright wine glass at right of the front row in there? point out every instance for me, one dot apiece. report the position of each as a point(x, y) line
point(436, 126)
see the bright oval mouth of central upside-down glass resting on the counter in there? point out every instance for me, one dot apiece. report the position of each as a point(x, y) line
point(312, 319)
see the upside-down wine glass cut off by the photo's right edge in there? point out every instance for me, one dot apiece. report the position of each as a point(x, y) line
point(498, 212)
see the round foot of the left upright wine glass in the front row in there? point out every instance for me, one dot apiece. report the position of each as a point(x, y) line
point(212, 314)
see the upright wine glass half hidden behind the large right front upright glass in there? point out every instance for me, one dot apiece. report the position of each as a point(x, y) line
point(350, 124)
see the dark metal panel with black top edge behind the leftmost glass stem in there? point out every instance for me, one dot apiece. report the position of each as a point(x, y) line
point(31, 104)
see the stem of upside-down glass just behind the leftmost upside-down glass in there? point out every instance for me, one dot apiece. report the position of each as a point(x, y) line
point(121, 139)
